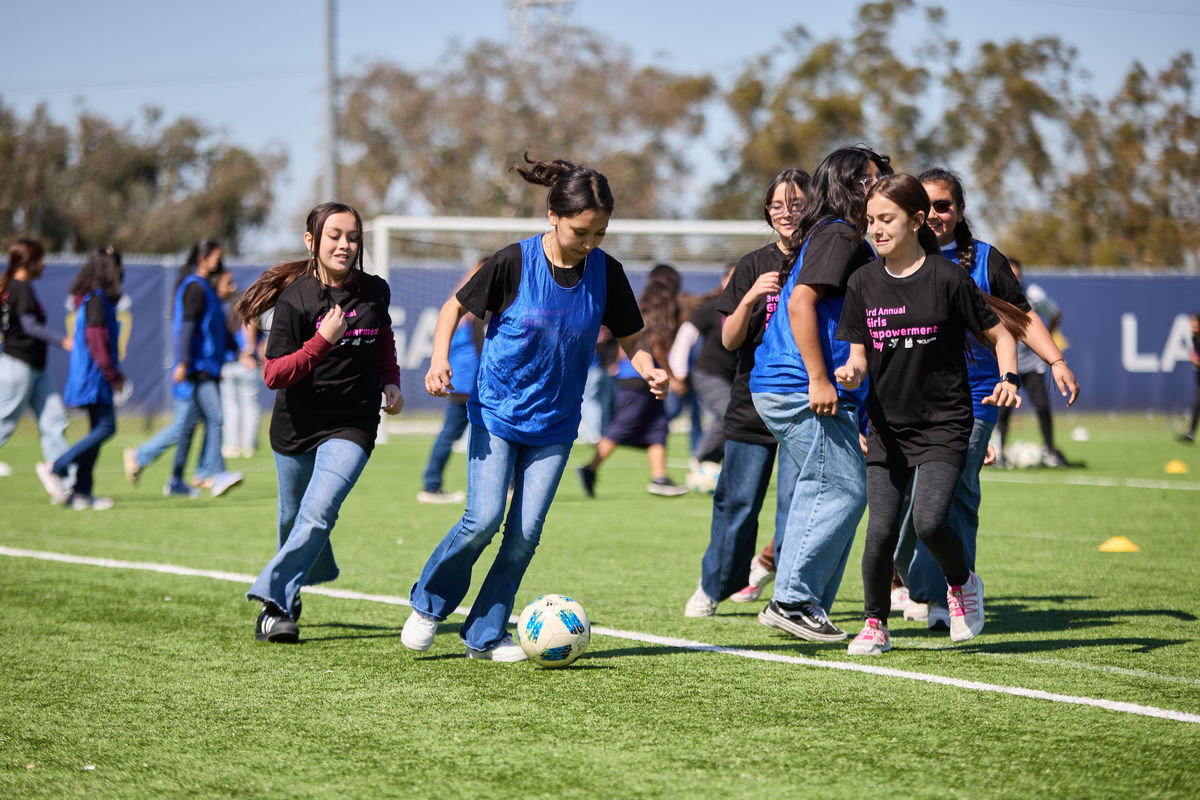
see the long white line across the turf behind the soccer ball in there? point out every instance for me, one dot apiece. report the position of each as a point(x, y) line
point(649, 639)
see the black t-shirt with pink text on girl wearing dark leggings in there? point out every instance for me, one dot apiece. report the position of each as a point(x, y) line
point(915, 330)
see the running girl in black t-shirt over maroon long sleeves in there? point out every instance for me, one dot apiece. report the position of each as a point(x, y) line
point(331, 354)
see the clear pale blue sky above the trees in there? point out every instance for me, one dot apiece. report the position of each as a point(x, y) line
point(253, 69)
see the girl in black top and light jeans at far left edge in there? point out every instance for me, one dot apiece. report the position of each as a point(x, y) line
point(25, 381)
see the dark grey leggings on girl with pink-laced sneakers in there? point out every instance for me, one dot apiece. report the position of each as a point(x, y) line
point(933, 490)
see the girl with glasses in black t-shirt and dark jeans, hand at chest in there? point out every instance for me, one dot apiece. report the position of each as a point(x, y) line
point(749, 300)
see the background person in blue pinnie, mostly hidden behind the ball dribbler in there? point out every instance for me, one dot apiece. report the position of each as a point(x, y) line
point(465, 347)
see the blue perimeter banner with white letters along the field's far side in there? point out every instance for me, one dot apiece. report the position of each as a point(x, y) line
point(1129, 335)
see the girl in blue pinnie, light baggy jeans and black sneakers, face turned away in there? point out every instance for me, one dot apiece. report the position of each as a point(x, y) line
point(813, 419)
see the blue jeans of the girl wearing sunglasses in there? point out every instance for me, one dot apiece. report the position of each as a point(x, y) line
point(917, 567)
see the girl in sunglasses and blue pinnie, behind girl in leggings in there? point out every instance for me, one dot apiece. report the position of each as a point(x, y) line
point(993, 275)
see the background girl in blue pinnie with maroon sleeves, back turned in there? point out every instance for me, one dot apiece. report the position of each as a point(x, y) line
point(93, 376)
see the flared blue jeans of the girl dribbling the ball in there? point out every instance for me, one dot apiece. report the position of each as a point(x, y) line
point(493, 464)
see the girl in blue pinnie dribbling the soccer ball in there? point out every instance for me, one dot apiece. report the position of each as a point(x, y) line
point(549, 296)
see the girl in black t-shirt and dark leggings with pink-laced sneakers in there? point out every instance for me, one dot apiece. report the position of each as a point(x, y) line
point(908, 317)
